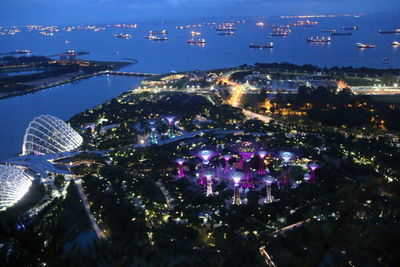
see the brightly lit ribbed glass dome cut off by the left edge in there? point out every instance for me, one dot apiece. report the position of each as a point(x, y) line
point(14, 183)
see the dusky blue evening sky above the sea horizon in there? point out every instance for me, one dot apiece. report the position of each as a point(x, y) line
point(20, 12)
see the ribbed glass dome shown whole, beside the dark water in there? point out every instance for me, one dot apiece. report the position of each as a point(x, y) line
point(48, 134)
